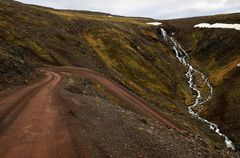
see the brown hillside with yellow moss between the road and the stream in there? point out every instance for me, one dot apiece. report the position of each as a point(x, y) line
point(125, 49)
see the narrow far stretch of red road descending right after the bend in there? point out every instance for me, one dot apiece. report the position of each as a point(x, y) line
point(139, 104)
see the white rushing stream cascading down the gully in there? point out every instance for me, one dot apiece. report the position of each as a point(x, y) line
point(199, 101)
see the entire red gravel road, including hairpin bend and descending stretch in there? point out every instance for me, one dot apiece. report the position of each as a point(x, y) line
point(30, 123)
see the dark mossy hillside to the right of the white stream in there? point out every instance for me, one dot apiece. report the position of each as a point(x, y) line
point(217, 53)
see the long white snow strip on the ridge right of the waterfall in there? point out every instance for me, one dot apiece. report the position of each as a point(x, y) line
point(218, 25)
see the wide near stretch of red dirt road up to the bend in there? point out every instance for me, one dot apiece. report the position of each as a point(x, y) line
point(35, 128)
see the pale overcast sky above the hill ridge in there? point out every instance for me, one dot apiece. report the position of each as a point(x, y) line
point(160, 9)
